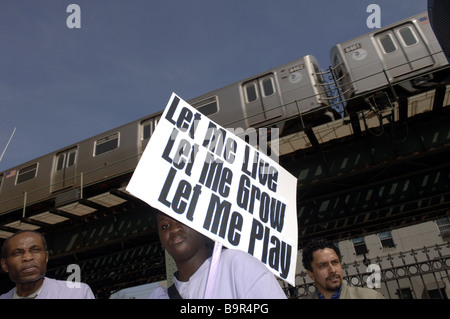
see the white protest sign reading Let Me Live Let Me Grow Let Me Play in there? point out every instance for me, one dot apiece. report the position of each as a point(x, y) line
point(214, 182)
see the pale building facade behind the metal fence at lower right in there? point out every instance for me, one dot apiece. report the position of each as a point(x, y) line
point(406, 263)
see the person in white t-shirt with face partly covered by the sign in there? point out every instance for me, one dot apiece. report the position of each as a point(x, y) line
point(239, 275)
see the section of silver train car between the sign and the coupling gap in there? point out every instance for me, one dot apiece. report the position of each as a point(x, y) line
point(271, 98)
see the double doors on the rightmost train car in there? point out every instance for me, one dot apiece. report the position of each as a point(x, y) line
point(403, 50)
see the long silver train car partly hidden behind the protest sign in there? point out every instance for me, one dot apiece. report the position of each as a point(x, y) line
point(272, 98)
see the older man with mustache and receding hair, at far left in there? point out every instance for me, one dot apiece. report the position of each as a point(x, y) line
point(24, 258)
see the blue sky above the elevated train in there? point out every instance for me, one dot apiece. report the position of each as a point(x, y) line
point(59, 85)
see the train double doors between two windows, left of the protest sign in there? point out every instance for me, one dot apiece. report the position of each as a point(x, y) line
point(64, 169)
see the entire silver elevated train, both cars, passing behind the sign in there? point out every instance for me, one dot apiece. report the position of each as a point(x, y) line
point(291, 97)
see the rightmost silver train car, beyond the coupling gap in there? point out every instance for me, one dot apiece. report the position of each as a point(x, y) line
point(405, 54)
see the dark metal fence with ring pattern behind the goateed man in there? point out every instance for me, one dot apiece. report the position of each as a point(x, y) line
point(415, 274)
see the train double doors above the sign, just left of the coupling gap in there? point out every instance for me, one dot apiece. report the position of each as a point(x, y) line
point(262, 101)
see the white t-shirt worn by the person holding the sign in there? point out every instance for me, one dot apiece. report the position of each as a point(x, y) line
point(239, 276)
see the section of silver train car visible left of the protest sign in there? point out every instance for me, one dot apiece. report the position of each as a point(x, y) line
point(61, 176)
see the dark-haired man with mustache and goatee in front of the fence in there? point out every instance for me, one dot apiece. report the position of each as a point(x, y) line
point(322, 261)
